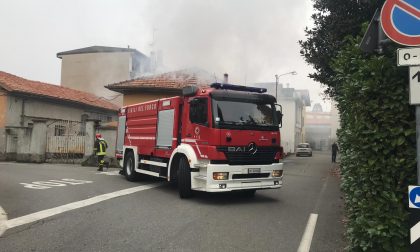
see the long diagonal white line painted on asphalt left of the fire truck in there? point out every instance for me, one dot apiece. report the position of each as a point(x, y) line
point(75, 205)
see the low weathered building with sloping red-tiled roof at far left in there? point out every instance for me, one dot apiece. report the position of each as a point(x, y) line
point(38, 118)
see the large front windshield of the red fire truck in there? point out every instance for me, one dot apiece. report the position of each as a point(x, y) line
point(244, 114)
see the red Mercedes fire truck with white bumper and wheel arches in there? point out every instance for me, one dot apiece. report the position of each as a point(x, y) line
point(215, 139)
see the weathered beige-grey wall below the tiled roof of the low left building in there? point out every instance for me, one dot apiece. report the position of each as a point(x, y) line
point(25, 126)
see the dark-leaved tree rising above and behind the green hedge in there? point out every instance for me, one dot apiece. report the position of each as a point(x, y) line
point(334, 20)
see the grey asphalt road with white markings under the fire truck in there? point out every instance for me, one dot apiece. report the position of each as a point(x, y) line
point(104, 216)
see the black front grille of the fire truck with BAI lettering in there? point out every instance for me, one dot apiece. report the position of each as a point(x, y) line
point(264, 155)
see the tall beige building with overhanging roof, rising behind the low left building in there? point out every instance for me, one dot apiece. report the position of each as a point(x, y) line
point(90, 69)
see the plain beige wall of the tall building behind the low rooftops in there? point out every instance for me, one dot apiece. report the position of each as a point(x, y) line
point(90, 72)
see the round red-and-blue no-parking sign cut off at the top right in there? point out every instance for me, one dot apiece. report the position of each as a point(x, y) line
point(400, 21)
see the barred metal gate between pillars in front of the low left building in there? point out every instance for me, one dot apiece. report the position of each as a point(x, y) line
point(65, 142)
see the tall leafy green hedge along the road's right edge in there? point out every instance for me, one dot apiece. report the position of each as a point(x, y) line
point(377, 144)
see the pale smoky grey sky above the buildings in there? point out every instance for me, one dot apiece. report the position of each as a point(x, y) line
point(252, 40)
